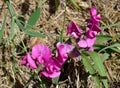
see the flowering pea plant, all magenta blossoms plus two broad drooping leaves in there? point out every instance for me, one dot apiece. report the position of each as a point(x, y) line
point(51, 65)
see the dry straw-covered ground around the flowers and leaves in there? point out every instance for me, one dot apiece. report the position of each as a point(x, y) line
point(52, 20)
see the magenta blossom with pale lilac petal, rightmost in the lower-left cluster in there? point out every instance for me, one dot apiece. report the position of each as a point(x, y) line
point(63, 50)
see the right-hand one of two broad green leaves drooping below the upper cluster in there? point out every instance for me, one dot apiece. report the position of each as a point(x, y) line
point(98, 63)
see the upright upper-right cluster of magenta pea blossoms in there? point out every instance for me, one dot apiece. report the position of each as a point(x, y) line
point(92, 29)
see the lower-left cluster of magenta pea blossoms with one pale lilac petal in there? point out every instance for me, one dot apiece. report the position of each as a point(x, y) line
point(42, 54)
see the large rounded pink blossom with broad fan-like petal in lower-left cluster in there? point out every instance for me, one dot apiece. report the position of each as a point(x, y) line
point(42, 53)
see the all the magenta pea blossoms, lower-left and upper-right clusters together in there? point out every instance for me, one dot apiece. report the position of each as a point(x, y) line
point(42, 54)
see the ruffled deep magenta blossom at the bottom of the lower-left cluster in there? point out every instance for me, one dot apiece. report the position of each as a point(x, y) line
point(52, 69)
